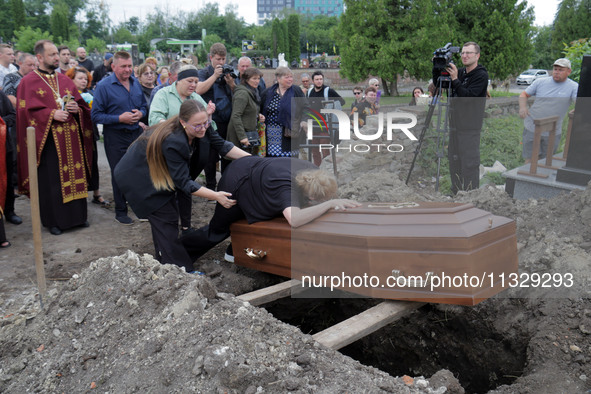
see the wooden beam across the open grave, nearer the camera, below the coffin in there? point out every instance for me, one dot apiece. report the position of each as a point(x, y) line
point(363, 324)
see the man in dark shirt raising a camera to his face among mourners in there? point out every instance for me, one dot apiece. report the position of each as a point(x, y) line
point(216, 84)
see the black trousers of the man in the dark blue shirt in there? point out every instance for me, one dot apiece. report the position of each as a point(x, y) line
point(116, 144)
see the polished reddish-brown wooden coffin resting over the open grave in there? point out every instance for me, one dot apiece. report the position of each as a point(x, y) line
point(449, 253)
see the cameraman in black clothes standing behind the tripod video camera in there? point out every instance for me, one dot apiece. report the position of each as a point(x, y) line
point(468, 89)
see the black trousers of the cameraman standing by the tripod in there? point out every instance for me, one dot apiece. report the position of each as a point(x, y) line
point(464, 159)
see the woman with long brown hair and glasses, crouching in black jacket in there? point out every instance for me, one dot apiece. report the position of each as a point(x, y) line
point(157, 165)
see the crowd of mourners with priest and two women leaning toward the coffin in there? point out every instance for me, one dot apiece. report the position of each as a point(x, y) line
point(162, 127)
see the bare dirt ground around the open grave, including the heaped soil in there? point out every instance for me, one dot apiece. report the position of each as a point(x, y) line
point(129, 324)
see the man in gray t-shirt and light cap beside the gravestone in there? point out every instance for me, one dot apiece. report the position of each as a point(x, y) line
point(553, 97)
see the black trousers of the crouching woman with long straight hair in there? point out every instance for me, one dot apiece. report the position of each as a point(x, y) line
point(165, 234)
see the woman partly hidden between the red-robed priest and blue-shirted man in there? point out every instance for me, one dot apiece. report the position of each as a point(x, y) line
point(83, 80)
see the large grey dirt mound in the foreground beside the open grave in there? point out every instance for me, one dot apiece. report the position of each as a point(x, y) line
point(130, 324)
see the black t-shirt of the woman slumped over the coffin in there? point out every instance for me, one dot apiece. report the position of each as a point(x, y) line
point(263, 186)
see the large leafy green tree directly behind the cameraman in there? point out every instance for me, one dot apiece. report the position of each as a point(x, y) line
point(386, 37)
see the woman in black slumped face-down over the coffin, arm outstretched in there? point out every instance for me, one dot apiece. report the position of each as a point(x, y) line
point(266, 188)
